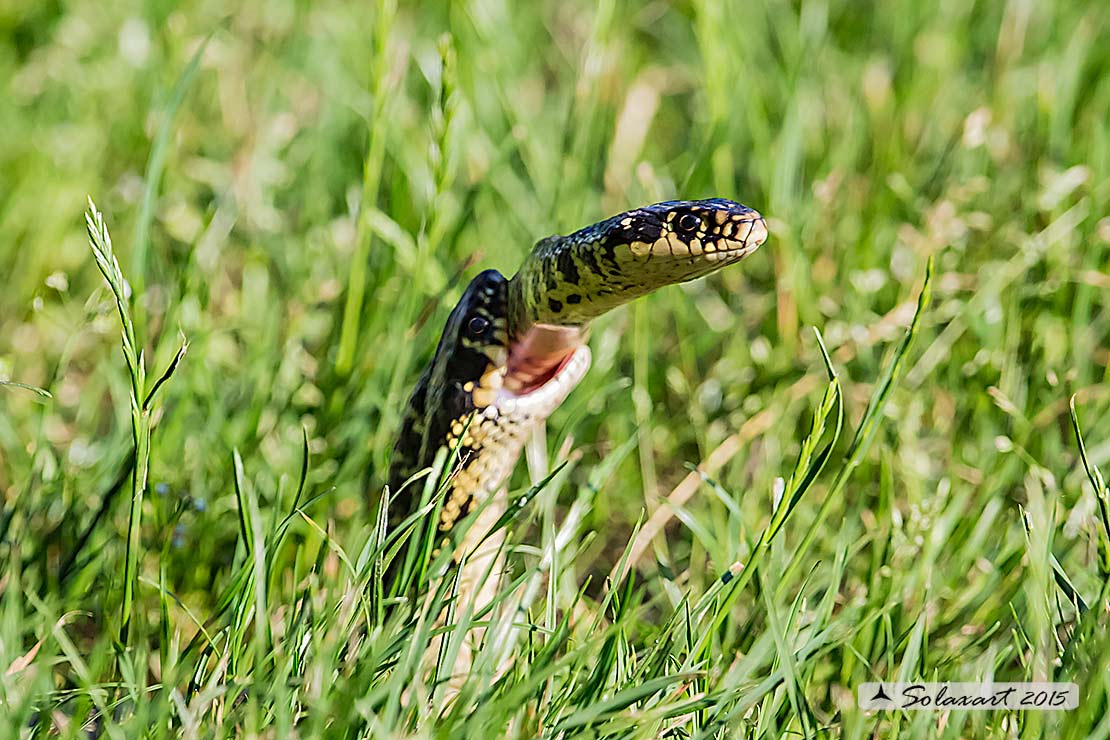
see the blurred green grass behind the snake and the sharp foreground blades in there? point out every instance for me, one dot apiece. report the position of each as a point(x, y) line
point(256, 165)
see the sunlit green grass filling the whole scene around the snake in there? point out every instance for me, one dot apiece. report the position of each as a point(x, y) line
point(300, 191)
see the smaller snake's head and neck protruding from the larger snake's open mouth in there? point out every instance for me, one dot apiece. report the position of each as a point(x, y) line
point(569, 281)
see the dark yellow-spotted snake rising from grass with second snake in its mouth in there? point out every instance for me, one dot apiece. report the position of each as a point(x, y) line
point(514, 349)
